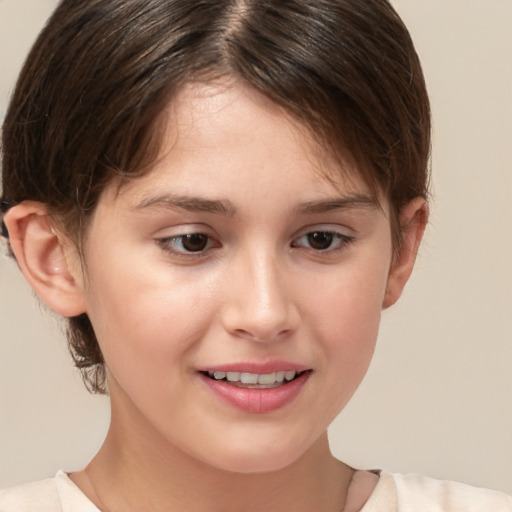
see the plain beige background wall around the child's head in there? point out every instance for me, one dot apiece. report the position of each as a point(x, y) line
point(438, 397)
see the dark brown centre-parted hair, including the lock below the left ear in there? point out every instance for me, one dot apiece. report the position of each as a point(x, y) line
point(90, 93)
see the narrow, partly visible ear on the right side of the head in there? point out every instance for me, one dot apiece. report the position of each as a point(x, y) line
point(413, 219)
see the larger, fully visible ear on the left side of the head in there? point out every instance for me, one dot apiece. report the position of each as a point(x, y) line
point(47, 259)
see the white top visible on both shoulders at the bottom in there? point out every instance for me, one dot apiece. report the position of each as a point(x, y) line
point(393, 493)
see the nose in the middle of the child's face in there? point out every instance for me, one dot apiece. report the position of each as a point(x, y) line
point(259, 303)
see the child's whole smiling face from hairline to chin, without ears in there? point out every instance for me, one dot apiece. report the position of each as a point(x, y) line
point(235, 292)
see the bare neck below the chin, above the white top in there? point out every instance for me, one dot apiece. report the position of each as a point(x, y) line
point(136, 474)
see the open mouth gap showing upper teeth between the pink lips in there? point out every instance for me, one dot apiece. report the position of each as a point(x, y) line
point(255, 380)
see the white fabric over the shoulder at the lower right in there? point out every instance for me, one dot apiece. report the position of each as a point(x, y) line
point(420, 493)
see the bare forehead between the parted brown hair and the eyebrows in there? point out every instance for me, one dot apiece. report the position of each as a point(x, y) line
point(229, 133)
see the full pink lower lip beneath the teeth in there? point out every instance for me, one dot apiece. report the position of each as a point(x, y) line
point(257, 400)
